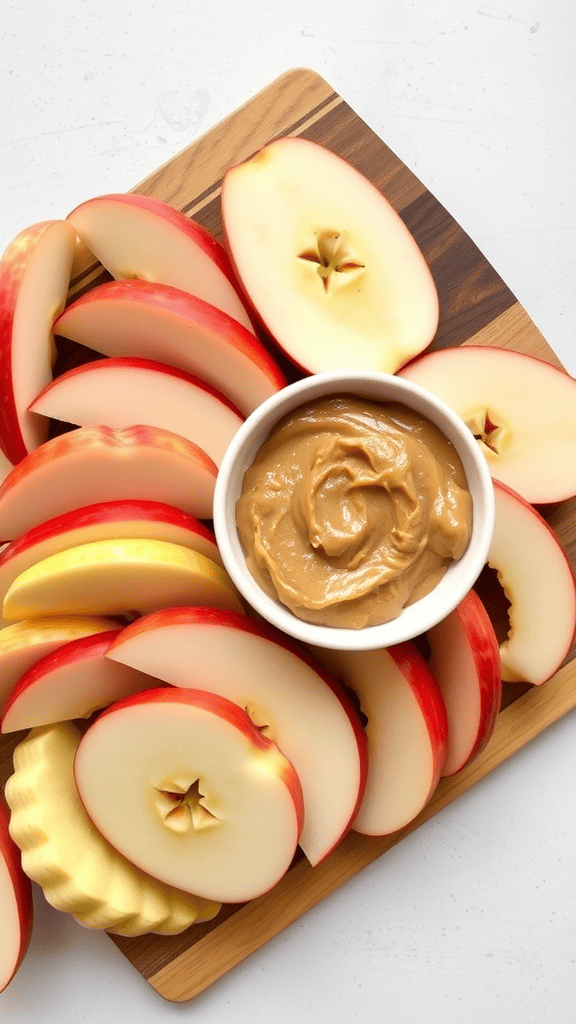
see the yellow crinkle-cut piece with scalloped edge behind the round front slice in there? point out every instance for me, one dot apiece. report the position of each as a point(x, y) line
point(79, 872)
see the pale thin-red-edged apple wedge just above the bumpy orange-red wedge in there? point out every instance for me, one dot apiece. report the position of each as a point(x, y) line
point(118, 393)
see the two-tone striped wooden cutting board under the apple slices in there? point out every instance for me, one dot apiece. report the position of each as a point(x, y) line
point(477, 308)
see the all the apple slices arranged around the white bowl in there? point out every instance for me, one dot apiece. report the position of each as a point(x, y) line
point(180, 751)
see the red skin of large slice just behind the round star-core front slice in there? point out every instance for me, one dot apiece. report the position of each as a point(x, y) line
point(209, 616)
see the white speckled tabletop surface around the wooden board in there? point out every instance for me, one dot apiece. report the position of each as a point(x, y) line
point(473, 918)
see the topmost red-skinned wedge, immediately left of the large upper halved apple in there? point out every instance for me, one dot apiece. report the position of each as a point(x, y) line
point(136, 236)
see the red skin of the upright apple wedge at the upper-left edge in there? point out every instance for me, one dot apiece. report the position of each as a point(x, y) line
point(13, 268)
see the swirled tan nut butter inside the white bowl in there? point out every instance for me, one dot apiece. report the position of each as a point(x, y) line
point(353, 509)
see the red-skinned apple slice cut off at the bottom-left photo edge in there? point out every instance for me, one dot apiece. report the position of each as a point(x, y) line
point(16, 903)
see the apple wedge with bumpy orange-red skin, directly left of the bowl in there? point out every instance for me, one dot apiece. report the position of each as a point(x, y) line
point(139, 462)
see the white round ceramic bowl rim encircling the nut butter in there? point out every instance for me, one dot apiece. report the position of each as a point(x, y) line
point(417, 618)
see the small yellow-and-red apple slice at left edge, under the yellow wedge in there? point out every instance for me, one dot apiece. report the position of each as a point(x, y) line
point(24, 644)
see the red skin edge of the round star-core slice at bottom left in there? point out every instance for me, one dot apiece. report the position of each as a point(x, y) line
point(225, 709)
